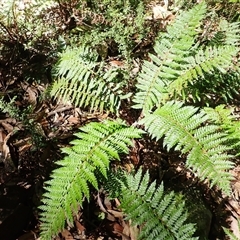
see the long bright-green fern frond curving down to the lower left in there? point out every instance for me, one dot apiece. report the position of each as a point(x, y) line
point(97, 144)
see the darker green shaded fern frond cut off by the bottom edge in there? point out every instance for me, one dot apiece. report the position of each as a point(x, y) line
point(160, 215)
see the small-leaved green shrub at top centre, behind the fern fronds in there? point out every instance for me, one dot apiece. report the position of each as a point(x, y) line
point(111, 25)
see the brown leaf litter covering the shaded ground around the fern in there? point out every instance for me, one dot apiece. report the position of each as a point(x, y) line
point(31, 144)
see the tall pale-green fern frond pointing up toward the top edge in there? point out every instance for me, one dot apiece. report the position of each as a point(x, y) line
point(172, 49)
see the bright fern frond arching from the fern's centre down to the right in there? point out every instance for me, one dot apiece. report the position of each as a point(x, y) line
point(185, 129)
